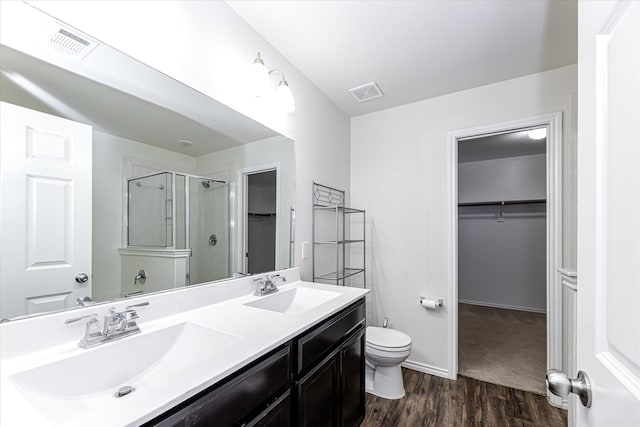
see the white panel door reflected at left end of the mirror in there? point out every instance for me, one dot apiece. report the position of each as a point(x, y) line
point(45, 208)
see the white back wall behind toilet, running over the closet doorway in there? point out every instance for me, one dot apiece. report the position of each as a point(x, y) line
point(400, 173)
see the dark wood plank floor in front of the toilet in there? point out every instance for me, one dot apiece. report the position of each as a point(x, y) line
point(435, 401)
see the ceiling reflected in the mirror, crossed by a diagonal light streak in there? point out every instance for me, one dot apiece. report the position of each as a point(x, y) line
point(107, 110)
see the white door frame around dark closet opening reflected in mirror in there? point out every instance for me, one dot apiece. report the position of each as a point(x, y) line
point(242, 201)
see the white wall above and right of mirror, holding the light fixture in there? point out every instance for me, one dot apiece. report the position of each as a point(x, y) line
point(209, 47)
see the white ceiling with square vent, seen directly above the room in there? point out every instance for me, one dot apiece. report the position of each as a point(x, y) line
point(414, 49)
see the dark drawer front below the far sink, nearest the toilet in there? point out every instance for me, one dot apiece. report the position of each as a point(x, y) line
point(314, 345)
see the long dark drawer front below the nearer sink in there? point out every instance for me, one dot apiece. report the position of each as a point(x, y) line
point(238, 398)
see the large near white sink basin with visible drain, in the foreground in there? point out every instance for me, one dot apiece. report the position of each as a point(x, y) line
point(106, 368)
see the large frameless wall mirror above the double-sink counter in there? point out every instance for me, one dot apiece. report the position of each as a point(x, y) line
point(117, 180)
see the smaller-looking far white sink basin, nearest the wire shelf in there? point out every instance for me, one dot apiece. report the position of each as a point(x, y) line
point(294, 301)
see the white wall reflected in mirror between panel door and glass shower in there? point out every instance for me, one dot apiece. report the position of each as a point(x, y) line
point(109, 153)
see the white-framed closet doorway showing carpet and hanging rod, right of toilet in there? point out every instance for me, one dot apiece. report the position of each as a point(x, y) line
point(506, 228)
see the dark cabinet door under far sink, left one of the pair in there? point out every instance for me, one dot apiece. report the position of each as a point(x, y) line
point(318, 394)
